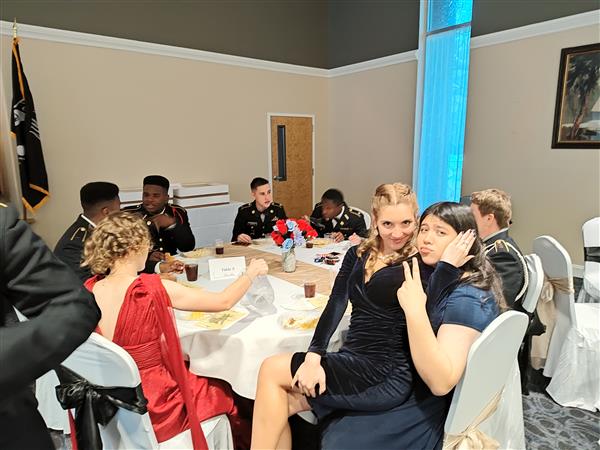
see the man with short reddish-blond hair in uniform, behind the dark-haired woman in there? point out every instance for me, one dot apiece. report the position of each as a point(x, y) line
point(492, 209)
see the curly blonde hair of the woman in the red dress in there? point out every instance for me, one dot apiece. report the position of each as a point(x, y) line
point(115, 237)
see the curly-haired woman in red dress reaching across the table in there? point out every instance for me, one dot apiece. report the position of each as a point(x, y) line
point(137, 315)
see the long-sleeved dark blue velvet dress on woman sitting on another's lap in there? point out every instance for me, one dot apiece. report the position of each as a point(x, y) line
point(373, 370)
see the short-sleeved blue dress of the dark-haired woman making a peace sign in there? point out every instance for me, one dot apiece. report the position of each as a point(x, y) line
point(418, 422)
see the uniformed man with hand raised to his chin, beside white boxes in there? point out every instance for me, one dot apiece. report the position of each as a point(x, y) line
point(168, 224)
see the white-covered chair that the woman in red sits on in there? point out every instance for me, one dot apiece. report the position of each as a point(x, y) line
point(104, 363)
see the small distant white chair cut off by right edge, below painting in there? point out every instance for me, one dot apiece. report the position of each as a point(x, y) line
point(591, 266)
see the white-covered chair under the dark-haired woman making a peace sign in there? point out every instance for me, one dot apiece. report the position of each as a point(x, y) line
point(492, 371)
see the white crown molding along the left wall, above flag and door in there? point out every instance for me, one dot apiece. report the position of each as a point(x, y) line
point(95, 40)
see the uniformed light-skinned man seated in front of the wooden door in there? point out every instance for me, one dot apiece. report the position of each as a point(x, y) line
point(256, 219)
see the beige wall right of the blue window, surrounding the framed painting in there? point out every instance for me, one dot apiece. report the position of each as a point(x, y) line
point(512, 91)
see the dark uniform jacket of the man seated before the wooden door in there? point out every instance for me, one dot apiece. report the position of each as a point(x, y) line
point(248, 220)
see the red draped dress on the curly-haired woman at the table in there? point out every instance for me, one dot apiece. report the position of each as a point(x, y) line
point(146, 330)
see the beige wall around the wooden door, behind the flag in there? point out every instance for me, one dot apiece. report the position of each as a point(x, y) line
point(117, 116)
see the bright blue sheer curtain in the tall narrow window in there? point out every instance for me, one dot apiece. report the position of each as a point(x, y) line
point(445, 85)
